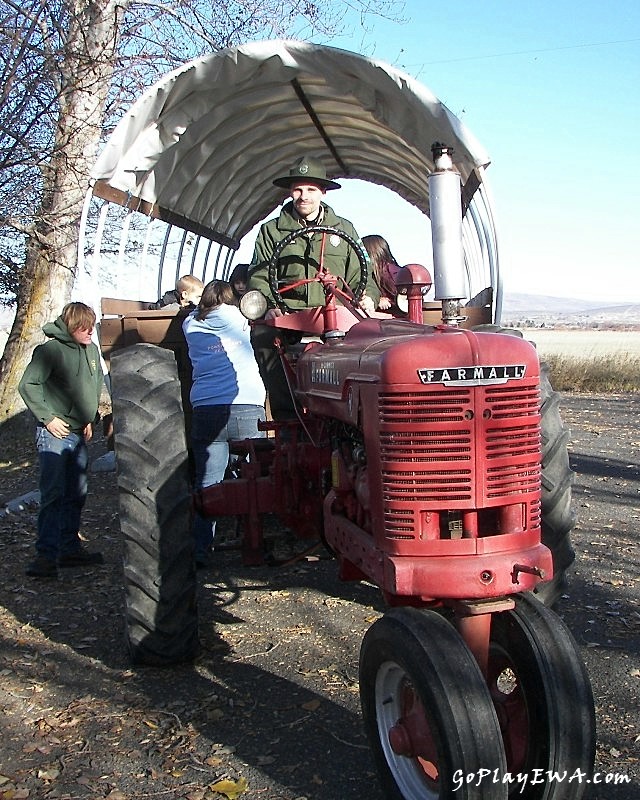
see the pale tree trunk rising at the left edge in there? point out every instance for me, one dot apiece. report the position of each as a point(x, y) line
point(52, 256)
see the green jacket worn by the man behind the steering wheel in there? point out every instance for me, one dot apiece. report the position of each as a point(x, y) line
point(301, 258)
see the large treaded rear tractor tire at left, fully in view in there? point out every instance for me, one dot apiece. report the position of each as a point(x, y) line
point(154, 500)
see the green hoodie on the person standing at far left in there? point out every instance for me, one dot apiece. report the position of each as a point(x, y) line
point(64, 379)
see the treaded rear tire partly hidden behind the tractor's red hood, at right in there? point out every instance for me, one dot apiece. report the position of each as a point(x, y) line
point(558, 517)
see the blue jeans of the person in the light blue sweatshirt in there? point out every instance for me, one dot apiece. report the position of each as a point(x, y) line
point(212, 427)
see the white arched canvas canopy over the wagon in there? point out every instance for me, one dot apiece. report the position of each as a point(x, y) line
point(201, 148)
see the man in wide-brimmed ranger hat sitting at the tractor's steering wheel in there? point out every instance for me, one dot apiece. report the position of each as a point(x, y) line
point(307, 184)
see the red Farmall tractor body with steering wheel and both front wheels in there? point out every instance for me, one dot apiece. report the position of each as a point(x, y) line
point(416, 457)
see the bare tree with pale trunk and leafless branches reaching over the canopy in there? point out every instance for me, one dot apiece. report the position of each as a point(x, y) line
point(69, 68)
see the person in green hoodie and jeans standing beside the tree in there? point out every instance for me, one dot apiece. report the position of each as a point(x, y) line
point(61, 387)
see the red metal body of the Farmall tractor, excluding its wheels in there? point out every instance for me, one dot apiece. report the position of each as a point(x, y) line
point(417, 457)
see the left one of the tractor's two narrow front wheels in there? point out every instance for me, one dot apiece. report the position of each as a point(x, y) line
point(427, 711)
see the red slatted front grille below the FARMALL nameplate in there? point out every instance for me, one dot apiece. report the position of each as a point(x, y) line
point(458, 448)
